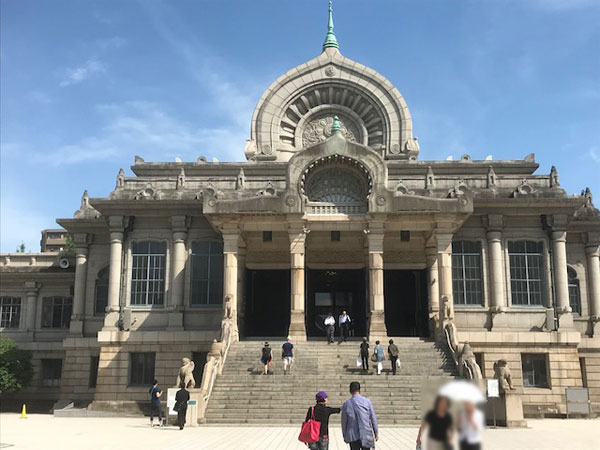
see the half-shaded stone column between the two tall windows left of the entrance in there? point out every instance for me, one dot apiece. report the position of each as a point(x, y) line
point(178, 260)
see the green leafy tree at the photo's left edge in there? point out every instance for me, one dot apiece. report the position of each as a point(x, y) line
point(15, 366)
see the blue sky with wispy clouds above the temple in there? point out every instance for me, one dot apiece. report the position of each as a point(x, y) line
point(86, 85)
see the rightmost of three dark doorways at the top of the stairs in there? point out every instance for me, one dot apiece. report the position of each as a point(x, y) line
point(405, 294)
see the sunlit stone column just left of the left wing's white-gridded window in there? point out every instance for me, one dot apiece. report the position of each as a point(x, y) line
point(116, 227)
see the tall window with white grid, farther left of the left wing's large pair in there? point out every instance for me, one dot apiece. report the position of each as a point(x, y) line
point(148, 273)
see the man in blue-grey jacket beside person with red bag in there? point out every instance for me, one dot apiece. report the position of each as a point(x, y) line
point(359, 423)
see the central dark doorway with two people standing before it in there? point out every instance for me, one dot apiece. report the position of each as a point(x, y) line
point(333, 291)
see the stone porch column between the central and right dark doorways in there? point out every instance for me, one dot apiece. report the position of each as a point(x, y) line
point(377, 328)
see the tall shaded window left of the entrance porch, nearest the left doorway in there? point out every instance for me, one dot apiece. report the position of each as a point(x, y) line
point(207, 273)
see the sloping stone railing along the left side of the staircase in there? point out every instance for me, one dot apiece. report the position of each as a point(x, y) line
point(215, 360)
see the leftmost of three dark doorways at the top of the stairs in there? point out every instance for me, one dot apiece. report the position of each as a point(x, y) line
point(267, 303)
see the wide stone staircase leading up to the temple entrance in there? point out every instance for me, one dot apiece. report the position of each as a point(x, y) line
point(242, 395)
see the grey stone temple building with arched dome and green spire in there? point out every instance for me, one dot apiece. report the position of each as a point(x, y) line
point(336, 208)
